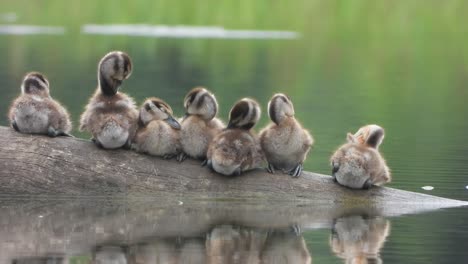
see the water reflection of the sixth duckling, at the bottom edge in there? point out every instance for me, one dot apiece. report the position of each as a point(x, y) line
point(285, 246)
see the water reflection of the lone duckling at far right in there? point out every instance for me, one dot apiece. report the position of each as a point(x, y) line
point(358, 239)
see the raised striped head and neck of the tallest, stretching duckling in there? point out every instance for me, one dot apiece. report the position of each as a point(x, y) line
point(113, 68)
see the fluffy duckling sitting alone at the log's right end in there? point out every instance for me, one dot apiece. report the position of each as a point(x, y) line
point(358, 163)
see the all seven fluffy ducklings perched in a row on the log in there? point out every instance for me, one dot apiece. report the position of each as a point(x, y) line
point(114, 122)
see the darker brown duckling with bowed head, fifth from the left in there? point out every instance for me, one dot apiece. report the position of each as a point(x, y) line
point(237, 148)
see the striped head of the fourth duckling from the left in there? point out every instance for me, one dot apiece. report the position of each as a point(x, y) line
point(199, 101)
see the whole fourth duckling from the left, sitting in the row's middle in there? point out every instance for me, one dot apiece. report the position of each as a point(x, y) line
point(200, 125)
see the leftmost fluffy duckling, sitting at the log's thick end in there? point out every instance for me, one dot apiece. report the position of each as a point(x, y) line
point(35, 112)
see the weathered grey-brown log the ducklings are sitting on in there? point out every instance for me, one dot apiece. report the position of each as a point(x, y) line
point(34, 165)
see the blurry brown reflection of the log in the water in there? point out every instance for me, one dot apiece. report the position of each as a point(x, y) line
point(75, 227)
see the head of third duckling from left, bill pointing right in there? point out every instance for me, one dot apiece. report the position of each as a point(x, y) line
point(156, 109)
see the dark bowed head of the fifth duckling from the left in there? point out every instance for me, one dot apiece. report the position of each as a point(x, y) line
point(244, 114)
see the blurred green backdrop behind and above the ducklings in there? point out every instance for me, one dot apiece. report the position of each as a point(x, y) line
point(400, 64)
